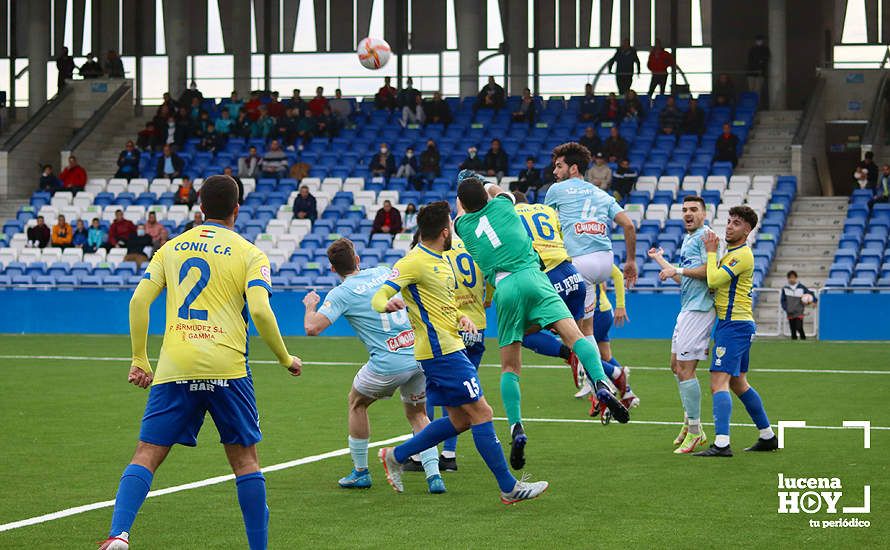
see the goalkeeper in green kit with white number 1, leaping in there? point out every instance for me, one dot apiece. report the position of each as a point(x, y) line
point(524, 297)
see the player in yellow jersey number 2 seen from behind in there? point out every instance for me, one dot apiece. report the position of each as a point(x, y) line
point(213, 277)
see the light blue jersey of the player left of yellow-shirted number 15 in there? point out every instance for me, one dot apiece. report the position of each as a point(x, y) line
point(387, 336)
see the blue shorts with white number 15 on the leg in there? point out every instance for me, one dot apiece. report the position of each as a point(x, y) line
point(451, 380)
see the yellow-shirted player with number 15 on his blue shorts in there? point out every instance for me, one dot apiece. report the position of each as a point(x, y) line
point(427, 283)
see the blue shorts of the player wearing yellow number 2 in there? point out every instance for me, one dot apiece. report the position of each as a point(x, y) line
point(175, 412)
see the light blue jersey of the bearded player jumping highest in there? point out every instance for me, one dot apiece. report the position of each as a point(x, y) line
point(585, 214)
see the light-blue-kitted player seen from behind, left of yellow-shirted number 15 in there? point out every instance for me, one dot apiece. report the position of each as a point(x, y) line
point(390, 343)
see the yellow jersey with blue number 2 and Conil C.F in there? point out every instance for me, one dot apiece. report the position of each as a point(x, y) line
point(206, 271)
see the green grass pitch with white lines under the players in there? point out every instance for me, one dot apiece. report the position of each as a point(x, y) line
point(70, 425)
